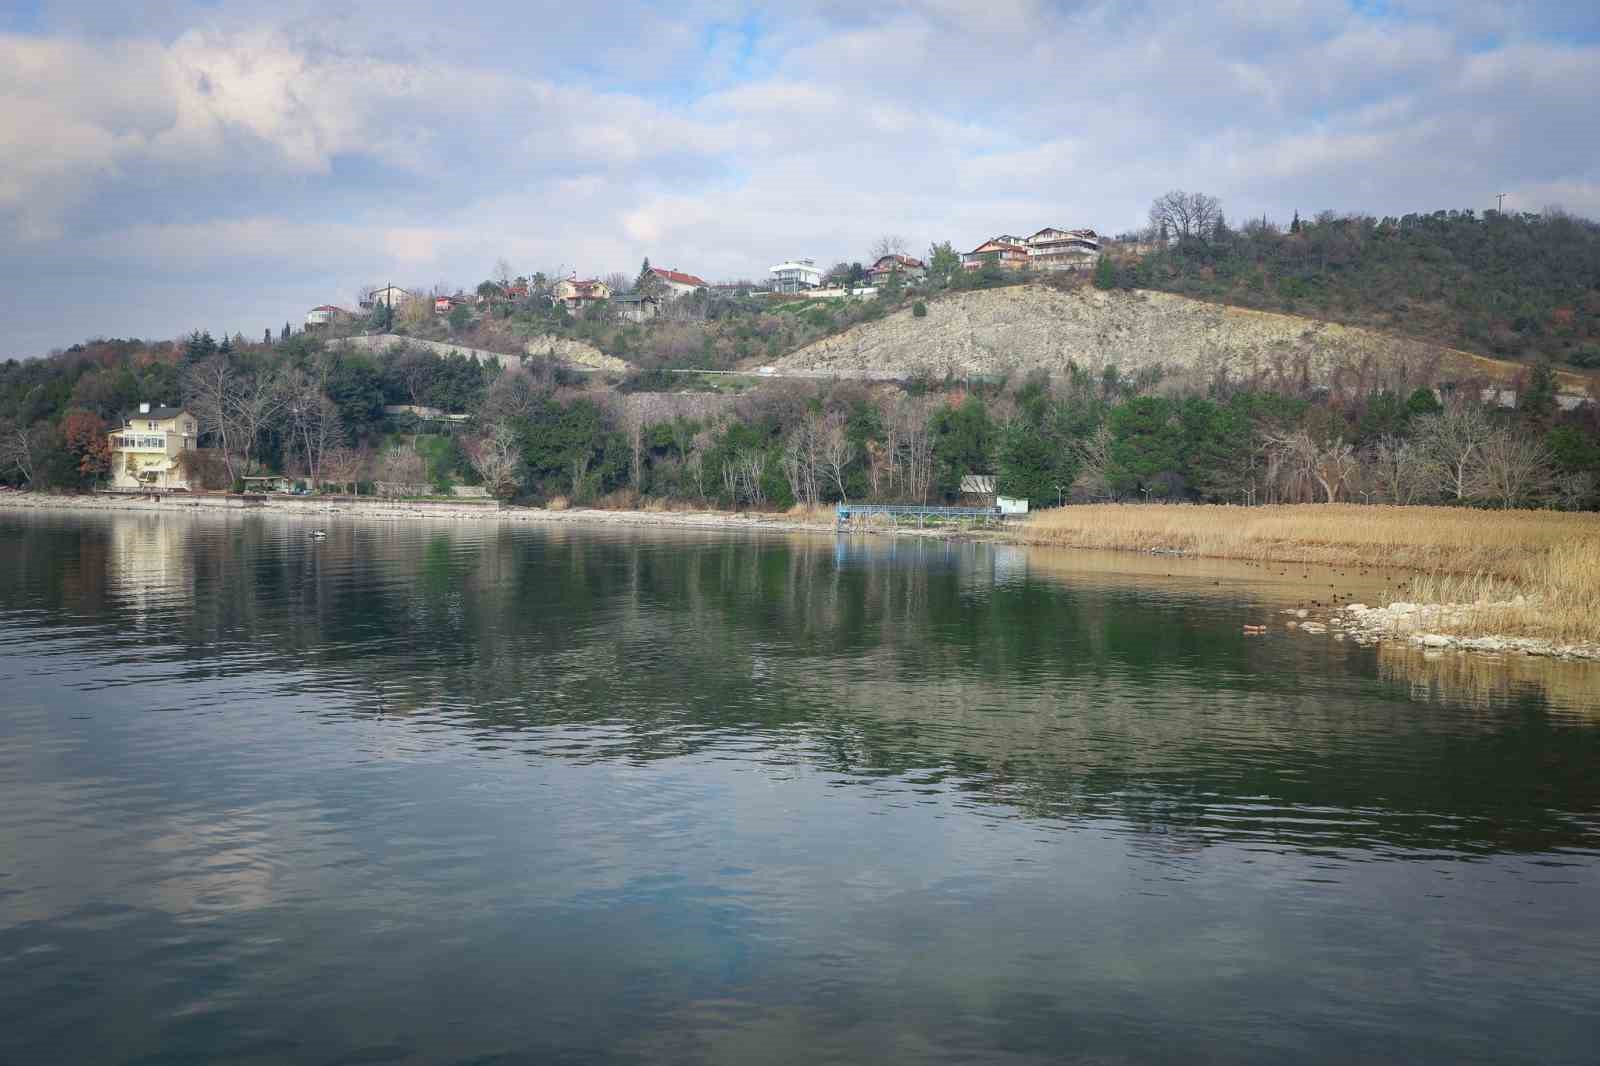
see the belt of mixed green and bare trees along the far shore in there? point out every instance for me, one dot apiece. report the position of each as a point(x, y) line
point(540, 435)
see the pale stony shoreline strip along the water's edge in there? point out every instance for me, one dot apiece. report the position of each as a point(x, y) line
point(1423, 627)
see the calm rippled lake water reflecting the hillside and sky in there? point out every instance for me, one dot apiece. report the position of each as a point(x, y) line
point(471, 793)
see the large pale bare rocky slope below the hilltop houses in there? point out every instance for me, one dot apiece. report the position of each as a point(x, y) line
point(1020, 329)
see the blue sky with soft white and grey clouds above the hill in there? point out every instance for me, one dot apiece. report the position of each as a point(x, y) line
point(175, 166)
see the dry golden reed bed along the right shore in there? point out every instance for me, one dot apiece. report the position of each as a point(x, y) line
point(1481, 559)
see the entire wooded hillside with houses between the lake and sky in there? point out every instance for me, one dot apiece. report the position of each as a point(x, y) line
point(1431, 358)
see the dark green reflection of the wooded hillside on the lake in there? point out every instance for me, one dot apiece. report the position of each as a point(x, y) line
point(1062, 694)
